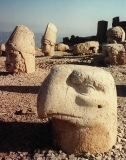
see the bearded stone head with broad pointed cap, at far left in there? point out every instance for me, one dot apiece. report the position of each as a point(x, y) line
point(20, 49)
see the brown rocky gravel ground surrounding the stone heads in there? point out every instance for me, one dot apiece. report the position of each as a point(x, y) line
point(25, 137)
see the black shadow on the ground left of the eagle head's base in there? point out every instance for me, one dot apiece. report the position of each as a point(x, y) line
point(24, 137)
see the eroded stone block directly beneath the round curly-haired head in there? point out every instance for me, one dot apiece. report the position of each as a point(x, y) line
point(114, 54)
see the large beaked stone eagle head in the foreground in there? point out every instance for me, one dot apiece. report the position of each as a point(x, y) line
point(82, 102)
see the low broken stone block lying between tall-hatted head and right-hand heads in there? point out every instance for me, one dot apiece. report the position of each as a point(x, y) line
point(86, 48)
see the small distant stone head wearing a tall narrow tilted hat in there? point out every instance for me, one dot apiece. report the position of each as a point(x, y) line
point(49, 40)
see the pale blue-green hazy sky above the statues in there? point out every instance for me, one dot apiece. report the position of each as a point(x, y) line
point(71, 17)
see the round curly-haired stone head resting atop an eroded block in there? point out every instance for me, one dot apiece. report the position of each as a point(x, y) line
point(115, 35)
